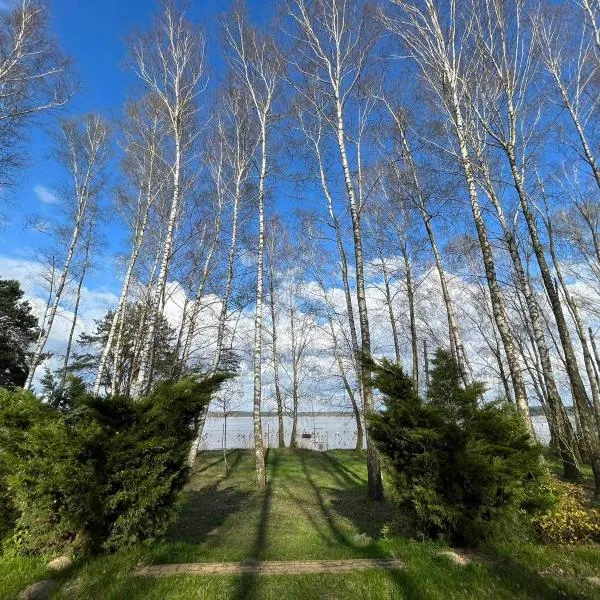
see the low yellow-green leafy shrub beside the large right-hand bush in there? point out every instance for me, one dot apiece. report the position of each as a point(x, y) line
point(571, 519)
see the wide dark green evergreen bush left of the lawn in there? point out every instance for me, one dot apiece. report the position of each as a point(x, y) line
point(104, 473)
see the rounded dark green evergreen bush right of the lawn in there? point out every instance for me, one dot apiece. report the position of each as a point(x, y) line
point(461, 469)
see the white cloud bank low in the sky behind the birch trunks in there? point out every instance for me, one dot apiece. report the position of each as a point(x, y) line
point(321, 388)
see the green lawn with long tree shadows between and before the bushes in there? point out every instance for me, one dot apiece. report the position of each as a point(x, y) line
point(314, 507)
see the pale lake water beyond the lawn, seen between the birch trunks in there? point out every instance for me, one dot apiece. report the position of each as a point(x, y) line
point(315, 433)
